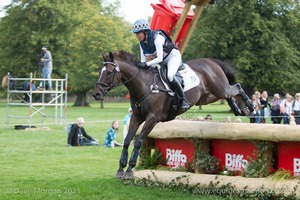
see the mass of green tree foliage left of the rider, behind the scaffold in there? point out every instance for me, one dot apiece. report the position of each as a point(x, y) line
point(76, 32)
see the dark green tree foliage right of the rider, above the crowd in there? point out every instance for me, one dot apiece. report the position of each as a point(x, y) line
point(260, 37)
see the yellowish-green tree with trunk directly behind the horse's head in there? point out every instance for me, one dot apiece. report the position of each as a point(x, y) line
point(100, 34)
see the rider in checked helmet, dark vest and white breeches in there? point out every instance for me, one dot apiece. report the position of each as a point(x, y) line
point(157, 47)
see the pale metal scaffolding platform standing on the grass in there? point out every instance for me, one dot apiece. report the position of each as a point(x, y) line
point(37, 100)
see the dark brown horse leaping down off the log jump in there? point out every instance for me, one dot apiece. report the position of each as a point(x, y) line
point(216, 82)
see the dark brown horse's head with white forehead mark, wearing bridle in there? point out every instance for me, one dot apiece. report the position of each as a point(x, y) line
point(109, 77)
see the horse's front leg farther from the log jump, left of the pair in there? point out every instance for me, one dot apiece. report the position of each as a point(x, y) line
point(133, 127)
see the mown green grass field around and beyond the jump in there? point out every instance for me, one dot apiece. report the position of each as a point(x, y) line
point(39, 165)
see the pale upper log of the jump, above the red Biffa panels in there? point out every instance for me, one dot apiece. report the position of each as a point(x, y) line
point(231, 131)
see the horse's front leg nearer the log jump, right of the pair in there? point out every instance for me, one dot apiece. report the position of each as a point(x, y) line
point(148, 126)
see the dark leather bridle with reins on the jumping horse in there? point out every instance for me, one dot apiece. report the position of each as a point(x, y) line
point(115, 73)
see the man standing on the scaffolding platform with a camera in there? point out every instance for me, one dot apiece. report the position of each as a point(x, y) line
point(47, 69)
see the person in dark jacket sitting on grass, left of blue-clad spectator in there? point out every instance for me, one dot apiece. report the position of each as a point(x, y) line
point(78, 136)
